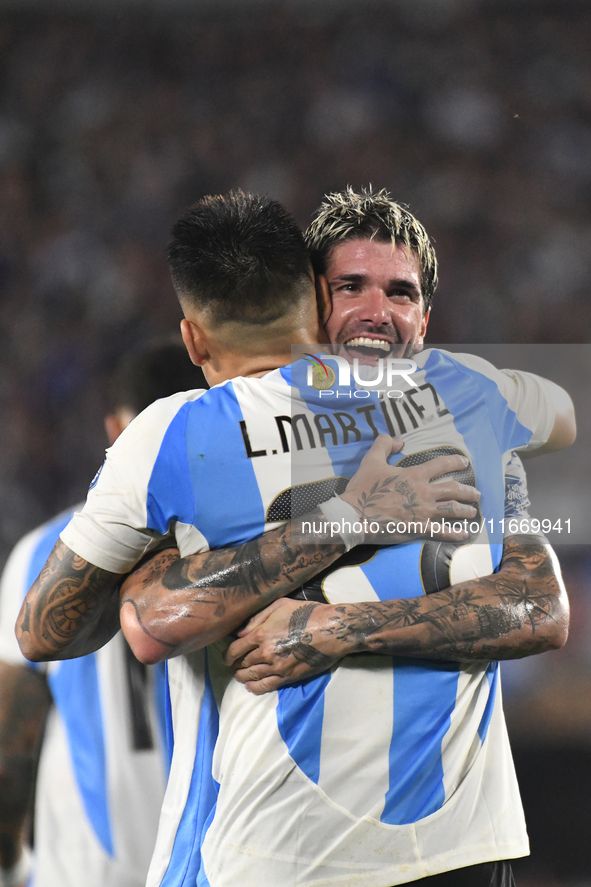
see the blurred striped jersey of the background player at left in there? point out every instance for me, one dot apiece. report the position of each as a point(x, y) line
point(103, 762)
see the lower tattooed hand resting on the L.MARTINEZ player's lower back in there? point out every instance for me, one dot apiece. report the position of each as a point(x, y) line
point(281, 645)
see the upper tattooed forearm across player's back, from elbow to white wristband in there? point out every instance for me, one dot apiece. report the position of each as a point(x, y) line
point(186, 603)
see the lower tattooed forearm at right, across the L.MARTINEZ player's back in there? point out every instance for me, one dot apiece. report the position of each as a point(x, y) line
point(520, 611)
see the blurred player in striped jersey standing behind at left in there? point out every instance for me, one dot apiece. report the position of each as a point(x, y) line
point(103, 763)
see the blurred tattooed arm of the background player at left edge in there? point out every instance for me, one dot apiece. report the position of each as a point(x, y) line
point(24, 702)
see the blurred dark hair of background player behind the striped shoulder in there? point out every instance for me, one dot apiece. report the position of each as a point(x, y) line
point(151, 371)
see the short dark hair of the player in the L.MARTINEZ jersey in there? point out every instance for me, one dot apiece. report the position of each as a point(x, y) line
point(239, 257)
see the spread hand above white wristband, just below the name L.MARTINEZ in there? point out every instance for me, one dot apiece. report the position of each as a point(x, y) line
point(389, 496)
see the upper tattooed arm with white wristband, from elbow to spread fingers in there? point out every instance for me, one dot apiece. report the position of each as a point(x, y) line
point(171, 605)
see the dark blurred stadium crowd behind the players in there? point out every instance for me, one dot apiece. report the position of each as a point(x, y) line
point(116, 115)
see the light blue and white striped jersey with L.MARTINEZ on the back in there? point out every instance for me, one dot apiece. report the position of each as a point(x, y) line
point(384, 770)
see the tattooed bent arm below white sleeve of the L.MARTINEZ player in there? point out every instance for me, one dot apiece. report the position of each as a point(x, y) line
point(71, 609)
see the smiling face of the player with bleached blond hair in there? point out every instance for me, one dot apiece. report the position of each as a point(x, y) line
point(376, 297)
